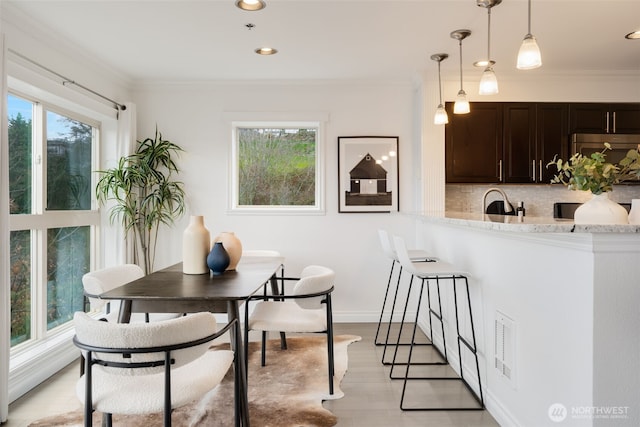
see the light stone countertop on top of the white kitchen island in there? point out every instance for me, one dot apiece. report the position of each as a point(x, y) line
point(527, 224)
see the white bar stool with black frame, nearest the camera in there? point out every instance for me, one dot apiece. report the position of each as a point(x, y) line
point(438, 271)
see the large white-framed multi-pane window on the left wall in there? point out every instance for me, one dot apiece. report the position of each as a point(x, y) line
point(51, 159)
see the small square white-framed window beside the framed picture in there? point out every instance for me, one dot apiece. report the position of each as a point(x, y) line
point(277, 167)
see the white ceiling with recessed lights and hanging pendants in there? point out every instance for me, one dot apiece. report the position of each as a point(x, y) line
point(184, 40)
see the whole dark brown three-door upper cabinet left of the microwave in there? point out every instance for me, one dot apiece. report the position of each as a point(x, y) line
point(505, 142)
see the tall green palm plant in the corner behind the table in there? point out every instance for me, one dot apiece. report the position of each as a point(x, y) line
point(144, 193)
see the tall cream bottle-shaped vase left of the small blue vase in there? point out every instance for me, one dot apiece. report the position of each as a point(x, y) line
point(195, 246)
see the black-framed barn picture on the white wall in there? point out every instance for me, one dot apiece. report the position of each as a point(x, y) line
point(368, 174)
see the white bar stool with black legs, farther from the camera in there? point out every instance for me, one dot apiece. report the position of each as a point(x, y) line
point(416, 255)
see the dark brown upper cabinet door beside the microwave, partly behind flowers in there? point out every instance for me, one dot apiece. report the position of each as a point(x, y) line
point(552, 137)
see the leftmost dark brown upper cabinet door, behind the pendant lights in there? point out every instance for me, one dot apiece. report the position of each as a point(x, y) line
point(473, 150)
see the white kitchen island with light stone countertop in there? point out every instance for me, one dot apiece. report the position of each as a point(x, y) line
point(556, 307)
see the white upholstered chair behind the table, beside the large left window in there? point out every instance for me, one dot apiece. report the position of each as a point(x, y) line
point(99, 281)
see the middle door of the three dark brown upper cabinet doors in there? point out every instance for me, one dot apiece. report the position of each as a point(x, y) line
point(519, 139)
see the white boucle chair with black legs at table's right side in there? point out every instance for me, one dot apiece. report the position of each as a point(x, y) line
point(307, 309)
